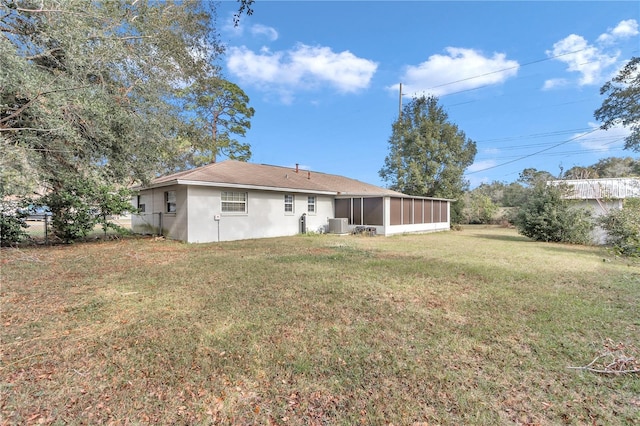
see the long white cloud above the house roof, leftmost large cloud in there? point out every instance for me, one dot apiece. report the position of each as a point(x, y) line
point(301, 68)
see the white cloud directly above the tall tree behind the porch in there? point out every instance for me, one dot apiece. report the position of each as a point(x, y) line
point(460, 69)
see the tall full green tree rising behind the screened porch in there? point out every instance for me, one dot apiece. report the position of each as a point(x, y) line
point(428, 154)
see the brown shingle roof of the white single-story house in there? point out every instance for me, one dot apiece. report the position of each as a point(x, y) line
point(241, 174)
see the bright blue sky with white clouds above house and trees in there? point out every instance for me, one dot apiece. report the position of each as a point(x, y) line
point(521, 79)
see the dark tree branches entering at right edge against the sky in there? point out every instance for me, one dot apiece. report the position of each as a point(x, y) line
point(622, 105)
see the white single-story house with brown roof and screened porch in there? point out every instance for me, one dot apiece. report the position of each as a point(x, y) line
point(234, 200)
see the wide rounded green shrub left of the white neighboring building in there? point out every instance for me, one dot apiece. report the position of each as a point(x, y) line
point(547, 216)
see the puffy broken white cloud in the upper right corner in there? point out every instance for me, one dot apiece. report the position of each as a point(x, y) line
point(592, 61)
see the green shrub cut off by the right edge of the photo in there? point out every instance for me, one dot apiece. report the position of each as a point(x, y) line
point(623, 228)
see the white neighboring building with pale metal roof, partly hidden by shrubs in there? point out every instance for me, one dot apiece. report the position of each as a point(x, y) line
point(601, 196)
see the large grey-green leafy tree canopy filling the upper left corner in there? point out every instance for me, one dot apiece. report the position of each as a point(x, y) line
point(87, 88)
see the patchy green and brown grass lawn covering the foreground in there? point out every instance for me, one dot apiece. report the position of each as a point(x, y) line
point(472, 327)
